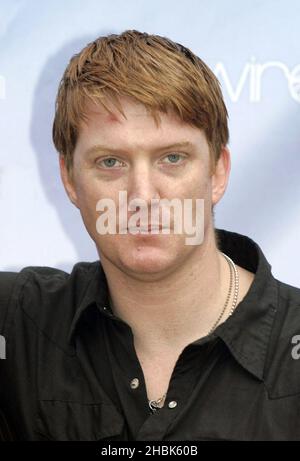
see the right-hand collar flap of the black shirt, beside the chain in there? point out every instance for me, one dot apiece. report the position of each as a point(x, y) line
point(247, 332)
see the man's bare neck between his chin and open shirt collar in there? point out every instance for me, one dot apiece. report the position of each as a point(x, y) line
point(170, 313)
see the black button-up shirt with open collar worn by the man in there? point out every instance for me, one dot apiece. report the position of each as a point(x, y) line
point(70, 362)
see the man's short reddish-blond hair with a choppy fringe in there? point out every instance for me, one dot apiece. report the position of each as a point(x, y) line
point(153, 70)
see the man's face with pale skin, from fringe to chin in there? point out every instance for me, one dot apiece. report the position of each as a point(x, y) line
point(136, 159)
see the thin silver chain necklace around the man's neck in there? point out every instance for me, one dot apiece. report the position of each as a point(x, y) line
point(154, 404)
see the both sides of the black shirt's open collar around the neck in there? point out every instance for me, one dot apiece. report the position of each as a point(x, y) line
point(247, 331)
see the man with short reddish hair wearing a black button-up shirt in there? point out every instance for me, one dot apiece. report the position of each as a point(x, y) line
point(160, 339)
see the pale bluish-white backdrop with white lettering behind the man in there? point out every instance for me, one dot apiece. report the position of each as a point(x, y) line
point(252, 46)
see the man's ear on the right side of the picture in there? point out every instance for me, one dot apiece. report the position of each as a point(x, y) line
point(220, 176)
